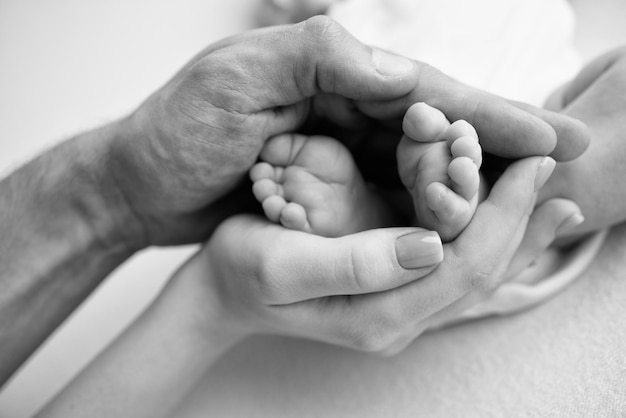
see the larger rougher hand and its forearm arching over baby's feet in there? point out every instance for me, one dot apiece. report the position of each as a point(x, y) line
point(166, 174)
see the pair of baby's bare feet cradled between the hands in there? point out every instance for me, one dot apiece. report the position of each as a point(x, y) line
point(312, 184)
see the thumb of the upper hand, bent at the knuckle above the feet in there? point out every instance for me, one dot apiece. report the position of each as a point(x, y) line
point(290, 63)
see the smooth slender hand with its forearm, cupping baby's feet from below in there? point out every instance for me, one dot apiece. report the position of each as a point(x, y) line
point(258, 277)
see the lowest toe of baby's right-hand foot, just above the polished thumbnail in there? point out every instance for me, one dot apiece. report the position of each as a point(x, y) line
point(452, 211)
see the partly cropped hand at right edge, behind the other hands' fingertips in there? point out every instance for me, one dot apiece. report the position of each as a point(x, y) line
point(595, 181)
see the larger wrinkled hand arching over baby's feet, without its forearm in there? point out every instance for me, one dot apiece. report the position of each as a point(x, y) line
point(194, 139)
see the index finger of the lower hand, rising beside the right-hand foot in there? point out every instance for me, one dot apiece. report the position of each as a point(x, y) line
point(474, 258)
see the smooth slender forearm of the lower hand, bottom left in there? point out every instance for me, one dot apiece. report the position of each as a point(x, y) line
point(159, 359)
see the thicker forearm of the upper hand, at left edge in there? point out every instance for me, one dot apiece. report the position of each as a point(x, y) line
point(59, 223)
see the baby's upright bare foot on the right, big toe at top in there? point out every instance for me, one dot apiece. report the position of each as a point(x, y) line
point(438, 163)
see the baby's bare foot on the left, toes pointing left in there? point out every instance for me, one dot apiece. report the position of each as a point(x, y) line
point(311, 184)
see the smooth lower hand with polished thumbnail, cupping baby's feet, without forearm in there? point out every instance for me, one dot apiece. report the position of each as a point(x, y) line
point(366, 291)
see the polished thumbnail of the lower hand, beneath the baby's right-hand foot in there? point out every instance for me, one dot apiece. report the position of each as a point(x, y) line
point(419, 249)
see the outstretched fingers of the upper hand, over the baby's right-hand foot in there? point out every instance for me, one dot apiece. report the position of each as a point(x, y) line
point(506, 128)
